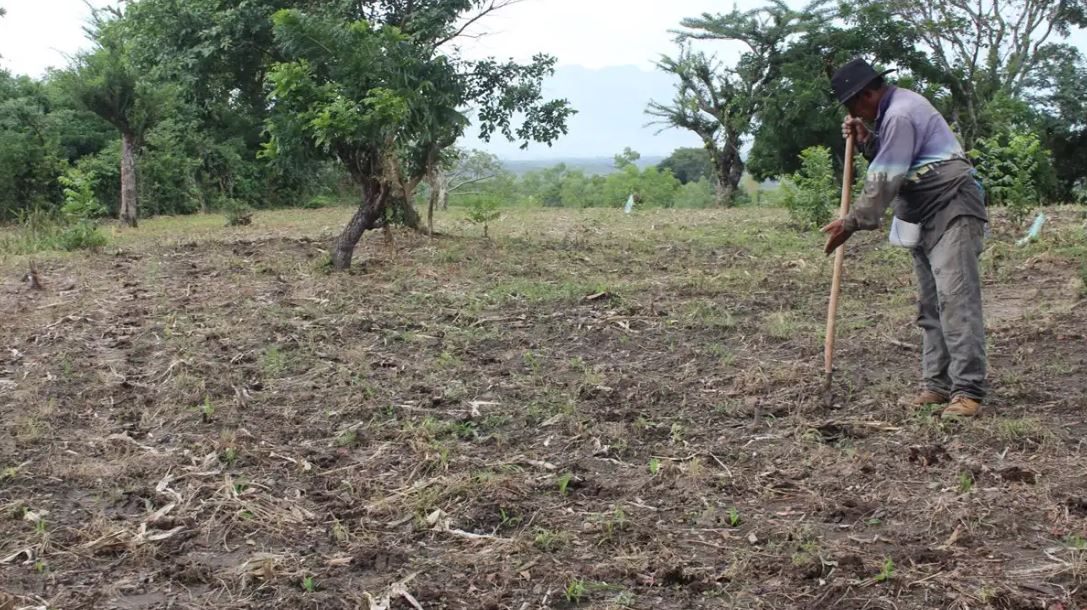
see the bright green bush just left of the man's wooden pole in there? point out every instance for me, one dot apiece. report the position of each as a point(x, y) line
point(810, 194)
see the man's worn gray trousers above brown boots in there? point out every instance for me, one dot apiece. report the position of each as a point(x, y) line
point(954, 358)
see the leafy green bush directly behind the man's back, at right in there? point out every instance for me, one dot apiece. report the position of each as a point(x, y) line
point(1009, 165)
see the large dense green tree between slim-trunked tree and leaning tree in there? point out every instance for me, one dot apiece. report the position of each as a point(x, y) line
point(217, 55)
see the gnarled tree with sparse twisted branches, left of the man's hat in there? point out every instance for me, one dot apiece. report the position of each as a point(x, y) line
point(720, 104)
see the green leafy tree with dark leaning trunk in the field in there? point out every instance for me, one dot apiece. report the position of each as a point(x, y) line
point(376, 93)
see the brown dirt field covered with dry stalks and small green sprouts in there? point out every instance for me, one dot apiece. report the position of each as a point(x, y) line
point(588, 412)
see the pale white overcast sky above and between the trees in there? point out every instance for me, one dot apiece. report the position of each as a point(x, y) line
point(593, 34)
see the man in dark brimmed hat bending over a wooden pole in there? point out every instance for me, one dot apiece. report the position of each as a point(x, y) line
point(919, 168)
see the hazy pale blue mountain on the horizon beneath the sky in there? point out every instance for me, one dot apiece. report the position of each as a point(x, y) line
point(611, 116)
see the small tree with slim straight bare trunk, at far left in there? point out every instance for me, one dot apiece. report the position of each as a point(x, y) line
point(106, 83)
